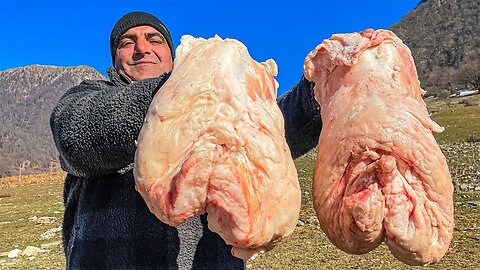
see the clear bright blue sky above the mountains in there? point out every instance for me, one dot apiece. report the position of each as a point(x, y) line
point(70, 33)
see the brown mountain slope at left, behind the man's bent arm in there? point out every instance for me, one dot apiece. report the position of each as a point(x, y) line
point(28, 97)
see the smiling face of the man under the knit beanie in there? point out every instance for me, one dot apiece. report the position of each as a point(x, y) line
point(142, 52)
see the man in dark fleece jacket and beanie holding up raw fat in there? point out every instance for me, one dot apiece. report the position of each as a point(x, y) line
point(107, 225)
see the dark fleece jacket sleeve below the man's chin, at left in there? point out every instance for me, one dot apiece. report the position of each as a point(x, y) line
point(95, 125)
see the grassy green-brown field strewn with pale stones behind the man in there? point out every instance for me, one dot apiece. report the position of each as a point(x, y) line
point(41, 196)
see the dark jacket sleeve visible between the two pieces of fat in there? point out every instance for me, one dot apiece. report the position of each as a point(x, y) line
point(301, 112)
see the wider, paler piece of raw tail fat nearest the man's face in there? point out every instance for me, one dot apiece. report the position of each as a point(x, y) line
point(214, 142)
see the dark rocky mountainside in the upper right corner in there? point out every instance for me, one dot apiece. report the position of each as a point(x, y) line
point(444, 37)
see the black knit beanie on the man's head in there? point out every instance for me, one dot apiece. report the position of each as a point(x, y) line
point(133, 19)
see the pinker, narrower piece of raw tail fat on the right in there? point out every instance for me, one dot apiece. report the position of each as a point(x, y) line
point(379, 173)
